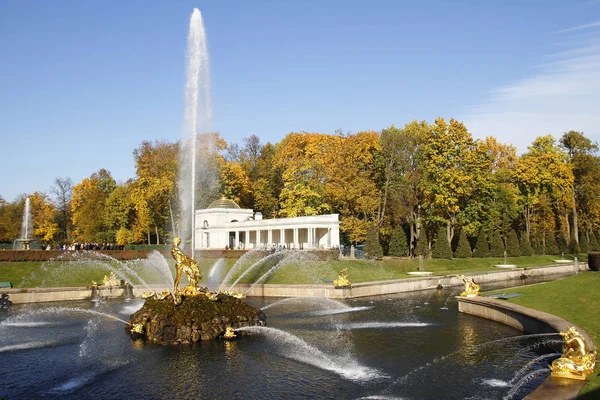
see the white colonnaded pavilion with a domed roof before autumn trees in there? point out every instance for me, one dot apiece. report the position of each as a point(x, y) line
point(225, 225)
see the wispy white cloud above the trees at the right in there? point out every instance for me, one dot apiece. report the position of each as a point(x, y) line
point(559, 96)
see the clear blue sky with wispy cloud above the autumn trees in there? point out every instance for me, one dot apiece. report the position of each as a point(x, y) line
point(83, 83)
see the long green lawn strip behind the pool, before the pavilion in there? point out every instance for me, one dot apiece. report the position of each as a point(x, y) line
point(300, 271)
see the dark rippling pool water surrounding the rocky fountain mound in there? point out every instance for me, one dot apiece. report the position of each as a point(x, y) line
point(379, 347)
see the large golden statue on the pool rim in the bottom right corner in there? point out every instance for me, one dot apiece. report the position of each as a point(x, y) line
point(577, 360)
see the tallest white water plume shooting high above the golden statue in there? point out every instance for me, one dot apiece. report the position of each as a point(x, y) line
point(196, 143)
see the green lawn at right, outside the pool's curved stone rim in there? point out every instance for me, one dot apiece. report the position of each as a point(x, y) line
point(575, 299)
